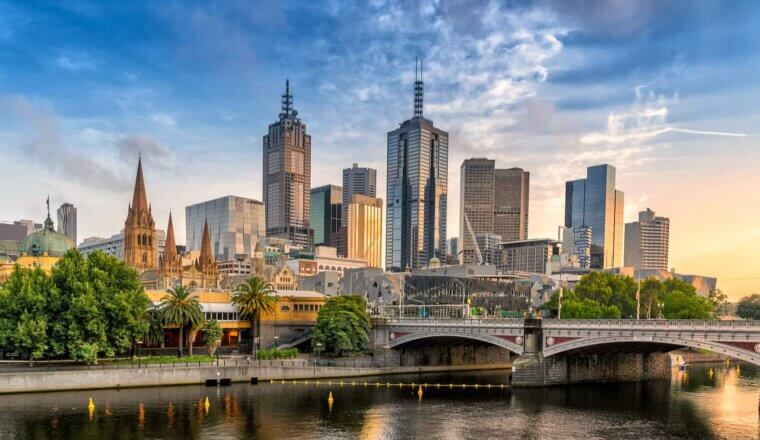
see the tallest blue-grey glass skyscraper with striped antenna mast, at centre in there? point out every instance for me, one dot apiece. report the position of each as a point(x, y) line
point(417, 186)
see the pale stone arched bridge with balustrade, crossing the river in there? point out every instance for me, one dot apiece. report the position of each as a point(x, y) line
point(561, 351)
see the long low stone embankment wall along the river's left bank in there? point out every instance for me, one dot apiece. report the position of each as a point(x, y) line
point(168, 375)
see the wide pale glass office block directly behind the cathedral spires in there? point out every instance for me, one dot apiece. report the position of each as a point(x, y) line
point(236, 225)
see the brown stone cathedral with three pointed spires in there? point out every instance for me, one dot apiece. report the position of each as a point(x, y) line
point(168, 270)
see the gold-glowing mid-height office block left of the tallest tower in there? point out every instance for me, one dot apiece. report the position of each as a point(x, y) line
point(364, 233)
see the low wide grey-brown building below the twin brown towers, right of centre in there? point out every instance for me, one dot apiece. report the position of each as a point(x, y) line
point(532, 256)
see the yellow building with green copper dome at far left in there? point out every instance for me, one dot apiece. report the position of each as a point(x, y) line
point(41, 249)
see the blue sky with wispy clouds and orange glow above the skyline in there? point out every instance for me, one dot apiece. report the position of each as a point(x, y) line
point(665, 91)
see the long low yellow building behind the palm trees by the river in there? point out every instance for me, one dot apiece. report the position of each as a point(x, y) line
point(295, 313)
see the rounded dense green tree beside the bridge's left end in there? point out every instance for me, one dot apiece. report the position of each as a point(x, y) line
point(343, 326)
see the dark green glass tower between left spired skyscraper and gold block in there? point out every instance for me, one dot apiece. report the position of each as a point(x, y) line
point(326, 213)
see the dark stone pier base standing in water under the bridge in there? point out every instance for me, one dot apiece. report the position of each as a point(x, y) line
point(535, 370)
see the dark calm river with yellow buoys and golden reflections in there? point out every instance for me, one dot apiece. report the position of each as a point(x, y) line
point(708, 401)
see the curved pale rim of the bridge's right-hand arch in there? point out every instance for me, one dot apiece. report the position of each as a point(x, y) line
point(716, 347)
